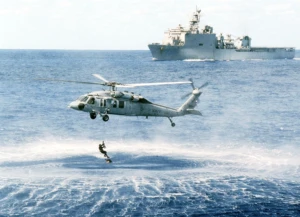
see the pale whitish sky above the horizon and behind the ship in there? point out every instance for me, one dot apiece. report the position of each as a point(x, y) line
point(133, 24)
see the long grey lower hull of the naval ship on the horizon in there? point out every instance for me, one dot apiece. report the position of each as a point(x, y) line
point(168, 52)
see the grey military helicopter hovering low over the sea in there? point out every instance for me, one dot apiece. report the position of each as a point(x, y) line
point(114, 102)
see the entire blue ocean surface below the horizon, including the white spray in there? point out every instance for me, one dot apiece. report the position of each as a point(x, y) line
point(241, 158)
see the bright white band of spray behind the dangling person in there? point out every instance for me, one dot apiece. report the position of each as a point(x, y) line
point(239, 153)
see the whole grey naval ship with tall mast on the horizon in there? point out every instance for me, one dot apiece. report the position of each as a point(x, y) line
point(191, 43)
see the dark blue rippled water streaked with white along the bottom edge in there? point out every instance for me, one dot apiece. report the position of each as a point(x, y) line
point(140, 196)
